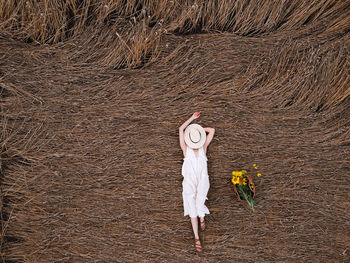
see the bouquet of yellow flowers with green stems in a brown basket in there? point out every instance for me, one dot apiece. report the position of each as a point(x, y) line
point(243, 186)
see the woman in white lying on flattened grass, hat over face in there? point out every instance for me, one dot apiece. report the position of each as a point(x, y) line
point(194, 144)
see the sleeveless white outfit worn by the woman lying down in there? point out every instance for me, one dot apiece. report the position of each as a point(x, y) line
point(195, 183)
